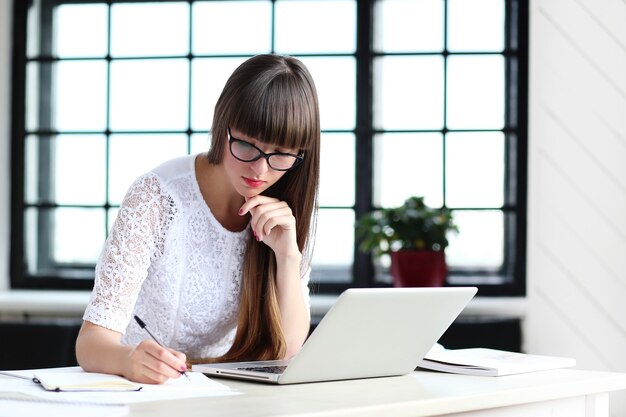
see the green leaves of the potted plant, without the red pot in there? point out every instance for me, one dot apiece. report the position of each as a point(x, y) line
point(412, 226)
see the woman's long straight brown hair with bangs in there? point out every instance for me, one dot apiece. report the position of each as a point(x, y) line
point(273, 99)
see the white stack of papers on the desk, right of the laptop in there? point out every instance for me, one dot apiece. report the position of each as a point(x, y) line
point(490, 362)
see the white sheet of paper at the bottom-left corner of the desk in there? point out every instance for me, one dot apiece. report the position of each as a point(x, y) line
point(12, 408)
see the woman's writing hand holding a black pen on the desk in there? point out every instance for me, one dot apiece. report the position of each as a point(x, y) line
point(154, 364)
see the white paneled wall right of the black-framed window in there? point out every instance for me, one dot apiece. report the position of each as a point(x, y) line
point(577, 184)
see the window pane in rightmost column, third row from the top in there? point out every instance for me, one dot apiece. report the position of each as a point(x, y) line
point(475, 169)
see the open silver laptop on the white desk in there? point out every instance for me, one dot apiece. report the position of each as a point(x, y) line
point(367, 333)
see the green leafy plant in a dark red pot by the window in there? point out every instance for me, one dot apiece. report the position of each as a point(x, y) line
point(415, 236)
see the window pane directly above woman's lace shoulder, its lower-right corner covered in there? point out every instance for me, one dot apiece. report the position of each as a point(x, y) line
point(134, 155)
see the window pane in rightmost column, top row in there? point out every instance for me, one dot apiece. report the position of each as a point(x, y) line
point(475, 25)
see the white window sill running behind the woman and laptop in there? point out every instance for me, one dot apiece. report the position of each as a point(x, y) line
point(26, 304)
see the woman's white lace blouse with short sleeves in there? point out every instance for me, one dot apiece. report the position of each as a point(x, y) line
point(169, 261)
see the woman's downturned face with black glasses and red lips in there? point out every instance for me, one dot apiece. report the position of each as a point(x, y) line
point(251, 178)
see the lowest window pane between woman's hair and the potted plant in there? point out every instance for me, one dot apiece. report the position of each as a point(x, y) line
point(334, 240)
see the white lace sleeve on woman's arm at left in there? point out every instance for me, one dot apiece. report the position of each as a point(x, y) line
point(136, 238)
